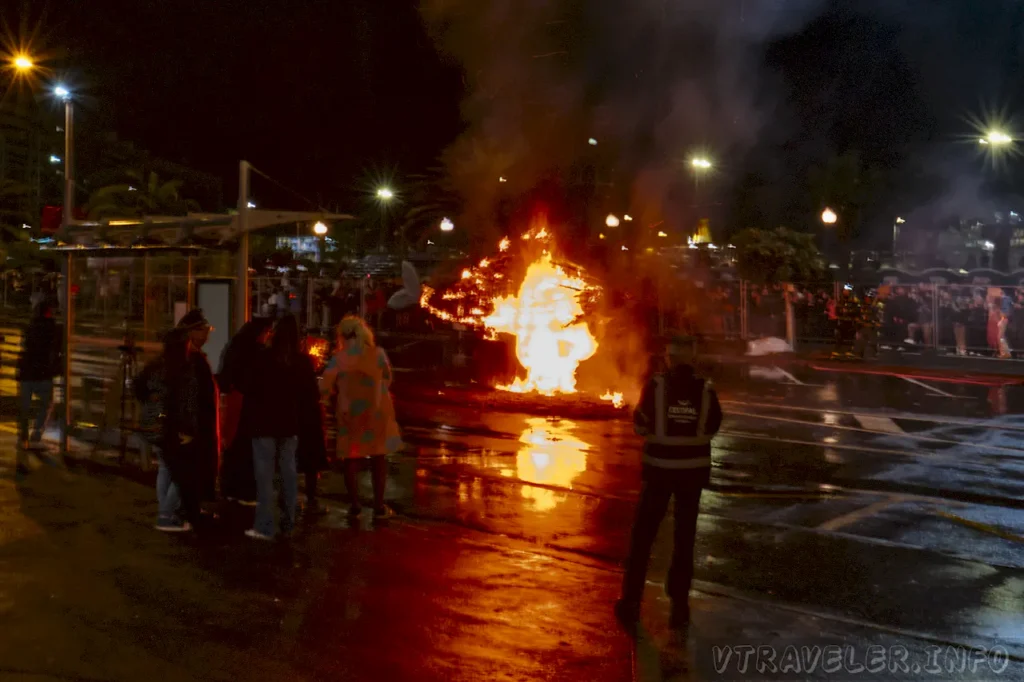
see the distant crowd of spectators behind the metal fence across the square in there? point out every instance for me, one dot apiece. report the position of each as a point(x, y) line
point(963, 319)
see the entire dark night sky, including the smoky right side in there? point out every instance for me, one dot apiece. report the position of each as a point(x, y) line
point(318, 93)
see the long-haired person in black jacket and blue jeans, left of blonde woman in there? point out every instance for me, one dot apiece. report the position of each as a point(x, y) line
point(278, 395)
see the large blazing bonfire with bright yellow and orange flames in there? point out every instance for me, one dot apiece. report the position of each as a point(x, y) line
point(546, 314)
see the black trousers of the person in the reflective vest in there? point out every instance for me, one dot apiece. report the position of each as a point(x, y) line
point(660, 487)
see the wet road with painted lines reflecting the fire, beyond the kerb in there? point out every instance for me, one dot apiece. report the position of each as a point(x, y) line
point(894, 504)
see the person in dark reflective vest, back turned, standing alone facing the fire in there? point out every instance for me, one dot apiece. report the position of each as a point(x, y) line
point(678, 415)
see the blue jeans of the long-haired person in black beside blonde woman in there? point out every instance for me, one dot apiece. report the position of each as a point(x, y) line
point(266, 453)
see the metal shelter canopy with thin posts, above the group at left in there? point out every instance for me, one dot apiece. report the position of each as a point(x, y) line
point(189, 235)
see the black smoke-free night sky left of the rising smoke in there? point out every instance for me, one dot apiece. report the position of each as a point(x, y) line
point(314, 93)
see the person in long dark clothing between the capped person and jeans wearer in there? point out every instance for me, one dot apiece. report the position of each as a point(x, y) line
point(241, 359)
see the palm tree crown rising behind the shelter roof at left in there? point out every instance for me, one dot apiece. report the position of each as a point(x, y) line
point(143, 195)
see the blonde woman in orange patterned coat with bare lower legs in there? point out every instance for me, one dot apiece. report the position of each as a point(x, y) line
point(358, 381)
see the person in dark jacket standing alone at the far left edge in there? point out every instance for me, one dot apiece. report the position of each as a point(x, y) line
point(39, 363)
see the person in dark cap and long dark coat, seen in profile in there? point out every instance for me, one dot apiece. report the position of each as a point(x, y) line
point(205, 402)
